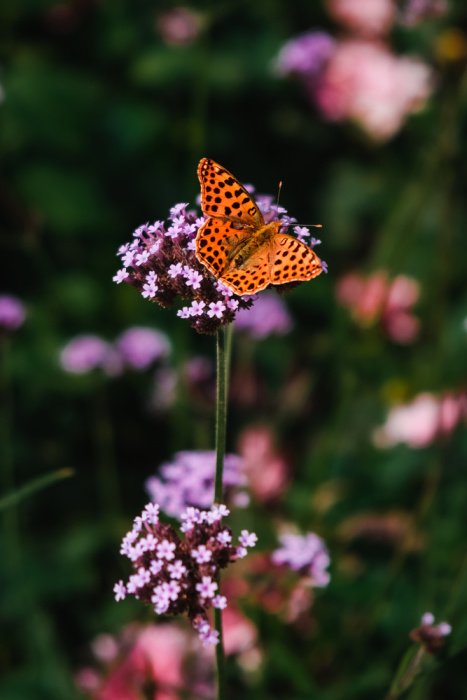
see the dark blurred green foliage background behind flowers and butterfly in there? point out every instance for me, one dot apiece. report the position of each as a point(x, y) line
point(102, 124)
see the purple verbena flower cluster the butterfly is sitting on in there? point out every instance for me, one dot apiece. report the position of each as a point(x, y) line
point(161, 264)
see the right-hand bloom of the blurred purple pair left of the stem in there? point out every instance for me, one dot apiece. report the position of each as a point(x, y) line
point(140, 346)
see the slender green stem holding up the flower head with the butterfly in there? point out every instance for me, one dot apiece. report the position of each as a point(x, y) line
point(221, 416)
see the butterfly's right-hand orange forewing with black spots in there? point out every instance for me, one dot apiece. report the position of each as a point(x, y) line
point(292, 261)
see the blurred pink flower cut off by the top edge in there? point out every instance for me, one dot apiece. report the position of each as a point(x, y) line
point(369, 17)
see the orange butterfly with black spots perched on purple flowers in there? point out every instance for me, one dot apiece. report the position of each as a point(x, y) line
point(235, 243)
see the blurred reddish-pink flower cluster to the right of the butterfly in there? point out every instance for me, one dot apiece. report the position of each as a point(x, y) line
point(375, 299)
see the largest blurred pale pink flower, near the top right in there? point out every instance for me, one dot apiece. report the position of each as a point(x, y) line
point(365, 82)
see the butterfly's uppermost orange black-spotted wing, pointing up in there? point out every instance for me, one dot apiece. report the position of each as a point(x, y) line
point(224, 197)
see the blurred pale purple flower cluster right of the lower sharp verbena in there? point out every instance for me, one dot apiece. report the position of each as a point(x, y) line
point(306, 554)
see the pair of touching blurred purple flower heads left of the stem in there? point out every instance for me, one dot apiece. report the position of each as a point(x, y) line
point(137, 348)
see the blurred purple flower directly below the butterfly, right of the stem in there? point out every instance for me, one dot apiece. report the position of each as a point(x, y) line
point(269, 316)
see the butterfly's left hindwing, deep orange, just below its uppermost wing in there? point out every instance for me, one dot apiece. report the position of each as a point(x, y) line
point(218, 242)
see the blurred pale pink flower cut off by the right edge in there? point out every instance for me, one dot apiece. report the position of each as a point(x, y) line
point(422, 421)
